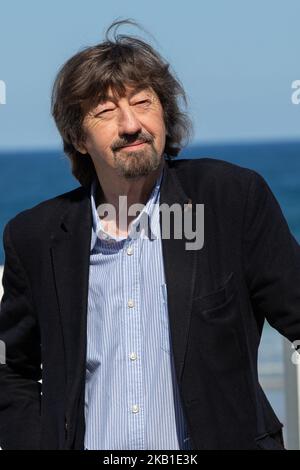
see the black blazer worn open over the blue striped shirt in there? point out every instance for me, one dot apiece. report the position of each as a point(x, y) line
point(218, 296)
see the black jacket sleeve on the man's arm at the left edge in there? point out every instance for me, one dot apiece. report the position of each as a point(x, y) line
point(20, 370)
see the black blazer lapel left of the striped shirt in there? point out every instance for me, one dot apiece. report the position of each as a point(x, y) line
point(70, 252)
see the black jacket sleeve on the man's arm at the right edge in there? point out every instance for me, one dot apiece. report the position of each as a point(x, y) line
point(271, 260)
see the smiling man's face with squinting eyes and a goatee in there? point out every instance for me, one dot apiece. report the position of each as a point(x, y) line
point(127, 134)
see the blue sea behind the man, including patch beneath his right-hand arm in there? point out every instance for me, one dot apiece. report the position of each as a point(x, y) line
point(29, 177)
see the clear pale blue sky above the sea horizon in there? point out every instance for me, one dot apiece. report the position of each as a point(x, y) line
point(236, 59)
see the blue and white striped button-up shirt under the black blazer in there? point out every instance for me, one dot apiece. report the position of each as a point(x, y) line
point(131, 394)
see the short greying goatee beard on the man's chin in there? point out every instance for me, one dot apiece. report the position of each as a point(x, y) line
point(137, 163)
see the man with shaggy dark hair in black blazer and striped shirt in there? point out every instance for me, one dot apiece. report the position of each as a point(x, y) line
point(144, 344)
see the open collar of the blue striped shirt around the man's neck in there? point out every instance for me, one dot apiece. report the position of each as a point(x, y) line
point(145, 216)
